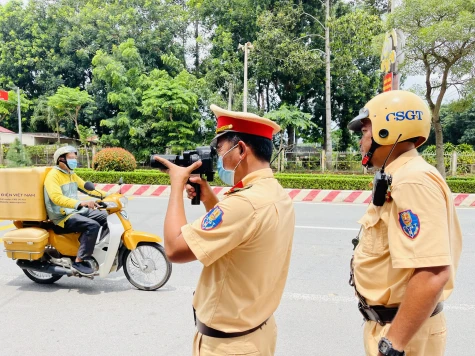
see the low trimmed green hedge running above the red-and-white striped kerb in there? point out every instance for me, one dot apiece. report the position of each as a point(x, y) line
point(292, 181)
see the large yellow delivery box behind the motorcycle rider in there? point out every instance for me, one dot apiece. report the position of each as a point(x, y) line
point(22, 193)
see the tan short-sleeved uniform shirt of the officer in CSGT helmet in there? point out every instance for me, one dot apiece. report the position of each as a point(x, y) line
point(418, 228)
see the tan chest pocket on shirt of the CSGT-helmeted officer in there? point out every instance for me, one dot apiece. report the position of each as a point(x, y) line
point(374, 235)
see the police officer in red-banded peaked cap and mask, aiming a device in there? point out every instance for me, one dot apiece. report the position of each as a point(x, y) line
point(244, 241)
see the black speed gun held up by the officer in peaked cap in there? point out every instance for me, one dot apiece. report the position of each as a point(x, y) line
point(206, 154)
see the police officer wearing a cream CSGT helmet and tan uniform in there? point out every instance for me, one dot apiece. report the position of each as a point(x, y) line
point(409, 247)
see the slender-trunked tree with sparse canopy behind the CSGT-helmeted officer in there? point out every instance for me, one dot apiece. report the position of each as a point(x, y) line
point(440, 45)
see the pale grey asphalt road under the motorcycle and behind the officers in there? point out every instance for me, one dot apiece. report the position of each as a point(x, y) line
point(317, 315)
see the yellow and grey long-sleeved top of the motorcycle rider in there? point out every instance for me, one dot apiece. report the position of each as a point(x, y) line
point(61, 194)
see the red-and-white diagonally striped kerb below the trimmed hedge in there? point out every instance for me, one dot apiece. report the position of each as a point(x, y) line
point(297, 195)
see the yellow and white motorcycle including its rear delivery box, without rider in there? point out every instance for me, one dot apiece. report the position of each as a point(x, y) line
point(45, 255)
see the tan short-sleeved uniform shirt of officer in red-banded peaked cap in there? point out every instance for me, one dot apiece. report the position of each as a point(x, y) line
point(244, 243)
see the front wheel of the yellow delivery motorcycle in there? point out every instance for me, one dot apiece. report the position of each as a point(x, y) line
point(152, 271)
